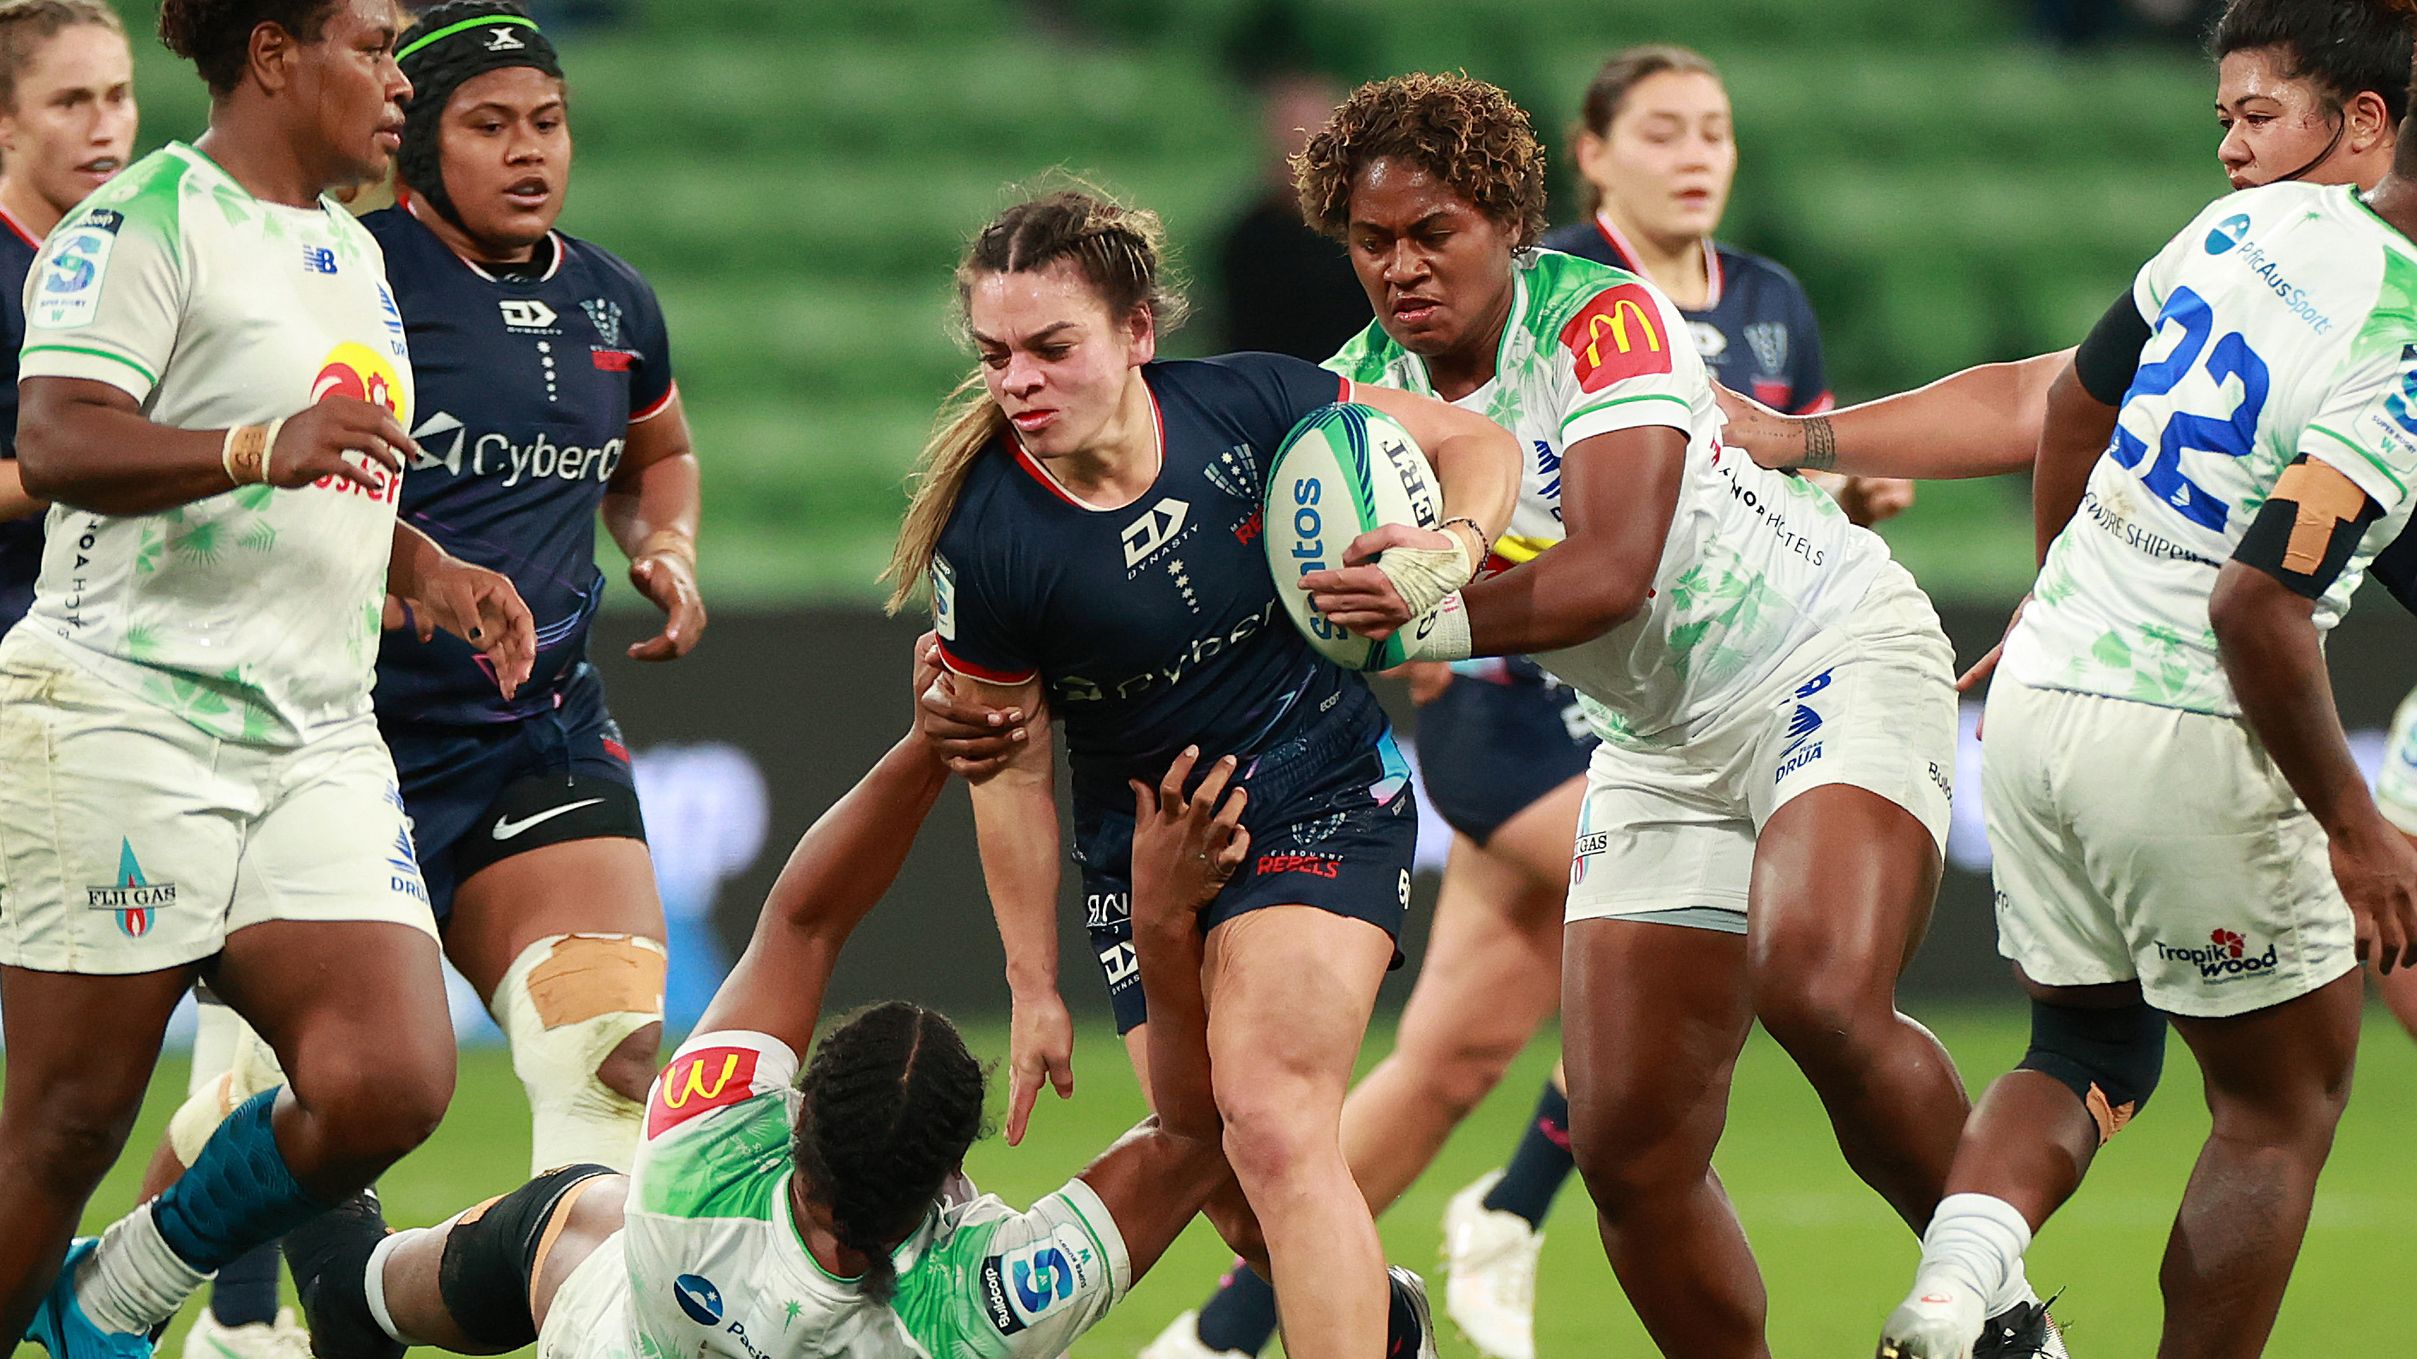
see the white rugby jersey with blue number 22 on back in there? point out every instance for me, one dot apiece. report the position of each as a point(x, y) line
point(2285, 323)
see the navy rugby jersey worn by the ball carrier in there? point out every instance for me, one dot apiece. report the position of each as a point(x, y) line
point(1152, 625)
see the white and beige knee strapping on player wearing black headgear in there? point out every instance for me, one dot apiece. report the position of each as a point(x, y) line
point(564, 1005)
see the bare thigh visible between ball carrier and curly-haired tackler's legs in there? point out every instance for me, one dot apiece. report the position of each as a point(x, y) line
point(1492, 964)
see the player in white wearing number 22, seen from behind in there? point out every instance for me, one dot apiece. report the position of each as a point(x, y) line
point(2174, 814)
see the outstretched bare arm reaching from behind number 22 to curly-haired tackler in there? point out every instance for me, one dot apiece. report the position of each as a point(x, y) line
point(1983, 422)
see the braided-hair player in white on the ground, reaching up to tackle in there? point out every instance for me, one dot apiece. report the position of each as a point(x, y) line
point(828, 1218)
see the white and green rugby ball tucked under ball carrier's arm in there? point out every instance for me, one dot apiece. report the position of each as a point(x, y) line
point(1345, 470)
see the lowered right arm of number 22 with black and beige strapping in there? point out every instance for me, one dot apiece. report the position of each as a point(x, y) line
point(2266, 635)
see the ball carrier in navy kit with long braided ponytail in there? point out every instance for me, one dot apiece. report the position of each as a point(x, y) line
point(1091, 531)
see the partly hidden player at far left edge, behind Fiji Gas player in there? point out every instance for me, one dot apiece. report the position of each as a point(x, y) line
point(66, 127)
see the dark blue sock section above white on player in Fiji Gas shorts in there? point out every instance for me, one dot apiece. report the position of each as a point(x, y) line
point(236, 1196)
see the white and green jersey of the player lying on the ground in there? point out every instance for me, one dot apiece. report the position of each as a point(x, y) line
point(712, 1261)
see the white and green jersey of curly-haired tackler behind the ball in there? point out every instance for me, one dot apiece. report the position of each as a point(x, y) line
point(1758, 562)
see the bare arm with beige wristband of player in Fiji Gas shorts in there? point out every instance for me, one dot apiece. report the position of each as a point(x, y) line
point(88, 446)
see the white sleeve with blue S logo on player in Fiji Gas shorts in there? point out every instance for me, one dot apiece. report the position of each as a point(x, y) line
point(105, 299)
